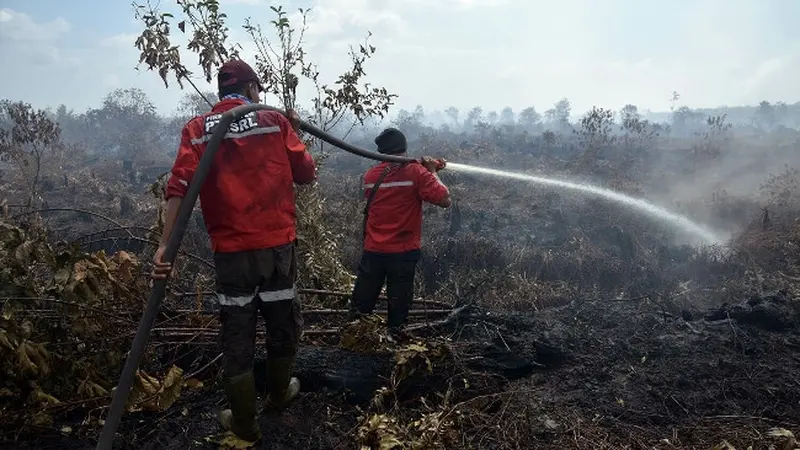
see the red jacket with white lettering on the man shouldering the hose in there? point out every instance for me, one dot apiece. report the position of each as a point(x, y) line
point(248, 197)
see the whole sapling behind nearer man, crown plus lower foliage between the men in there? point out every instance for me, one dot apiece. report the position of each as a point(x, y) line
point(281, 62)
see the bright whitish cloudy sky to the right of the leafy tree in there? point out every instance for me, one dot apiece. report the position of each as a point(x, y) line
point(469, 52)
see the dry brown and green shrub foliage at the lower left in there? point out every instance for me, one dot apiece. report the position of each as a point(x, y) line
point(75, 357)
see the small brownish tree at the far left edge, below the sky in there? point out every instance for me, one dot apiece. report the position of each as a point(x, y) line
point(30, 138)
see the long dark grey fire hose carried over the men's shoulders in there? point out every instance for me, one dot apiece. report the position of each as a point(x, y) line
point(120, 395)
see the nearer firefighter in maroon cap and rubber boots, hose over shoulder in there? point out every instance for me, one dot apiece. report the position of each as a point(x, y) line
point(248, 207)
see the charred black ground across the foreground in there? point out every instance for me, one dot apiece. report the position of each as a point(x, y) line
point(597, 374)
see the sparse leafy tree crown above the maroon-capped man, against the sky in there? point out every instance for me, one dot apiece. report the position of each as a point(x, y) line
point(281, 61)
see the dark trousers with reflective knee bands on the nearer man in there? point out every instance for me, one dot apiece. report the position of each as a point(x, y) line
point(253, 282)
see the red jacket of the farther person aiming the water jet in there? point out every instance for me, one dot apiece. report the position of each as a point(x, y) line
point(394, 221)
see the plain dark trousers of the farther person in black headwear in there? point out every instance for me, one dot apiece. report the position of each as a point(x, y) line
point(397, 271)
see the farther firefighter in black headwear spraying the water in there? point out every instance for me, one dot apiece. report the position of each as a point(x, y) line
point(393, 228)
